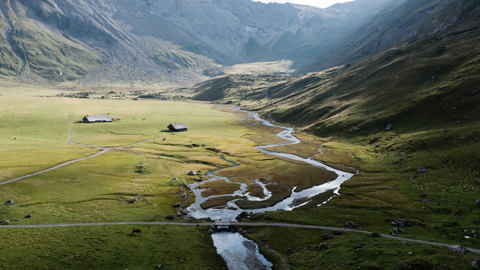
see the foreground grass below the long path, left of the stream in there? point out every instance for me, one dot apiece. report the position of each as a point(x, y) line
point(108, 247)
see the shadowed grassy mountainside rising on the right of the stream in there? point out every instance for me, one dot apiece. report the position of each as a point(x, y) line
point(429, 80)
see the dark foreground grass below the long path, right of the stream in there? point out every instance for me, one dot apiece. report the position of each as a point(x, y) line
point(349, 251)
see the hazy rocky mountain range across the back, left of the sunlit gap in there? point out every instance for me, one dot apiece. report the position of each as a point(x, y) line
point(174, 41)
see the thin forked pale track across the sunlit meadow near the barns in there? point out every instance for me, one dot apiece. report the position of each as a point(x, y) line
point(103, 151)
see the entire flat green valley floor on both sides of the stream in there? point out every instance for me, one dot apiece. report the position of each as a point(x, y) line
point(141, 182)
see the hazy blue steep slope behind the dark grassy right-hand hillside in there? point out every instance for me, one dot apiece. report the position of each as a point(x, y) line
point(402, 22)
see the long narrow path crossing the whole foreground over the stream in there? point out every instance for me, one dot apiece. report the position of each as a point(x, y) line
point(241, 224)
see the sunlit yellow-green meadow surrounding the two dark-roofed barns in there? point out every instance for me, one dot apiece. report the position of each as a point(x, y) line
point(101, 188)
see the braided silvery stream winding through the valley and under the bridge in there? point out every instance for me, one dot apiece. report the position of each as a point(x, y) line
point(239, 252)
